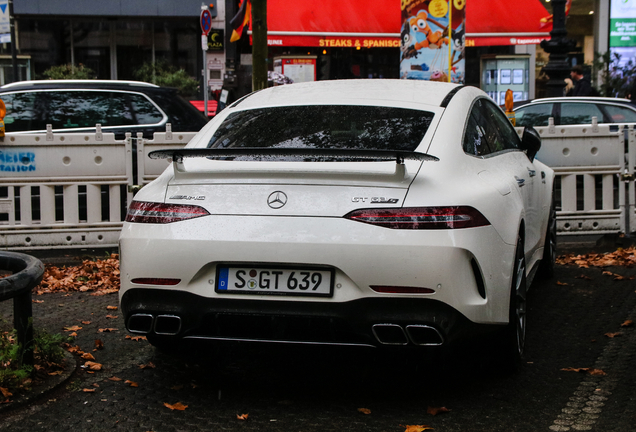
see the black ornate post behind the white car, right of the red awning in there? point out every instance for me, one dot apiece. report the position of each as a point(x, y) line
point(558, 47)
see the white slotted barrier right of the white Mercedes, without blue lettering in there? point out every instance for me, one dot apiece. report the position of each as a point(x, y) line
point(594, 165)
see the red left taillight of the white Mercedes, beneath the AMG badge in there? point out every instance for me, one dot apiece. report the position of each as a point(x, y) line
point(160, 213)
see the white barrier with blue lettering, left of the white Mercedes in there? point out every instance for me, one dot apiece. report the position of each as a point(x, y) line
point(72, 190)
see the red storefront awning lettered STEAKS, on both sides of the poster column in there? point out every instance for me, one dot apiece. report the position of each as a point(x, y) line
point(337, 23)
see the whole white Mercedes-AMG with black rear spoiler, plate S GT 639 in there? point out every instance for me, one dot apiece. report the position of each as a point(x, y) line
point(353, 212)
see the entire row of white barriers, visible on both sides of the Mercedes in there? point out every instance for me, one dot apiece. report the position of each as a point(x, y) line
point(72, 190)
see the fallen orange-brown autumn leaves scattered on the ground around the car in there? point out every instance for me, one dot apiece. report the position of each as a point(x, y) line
point(101, 277)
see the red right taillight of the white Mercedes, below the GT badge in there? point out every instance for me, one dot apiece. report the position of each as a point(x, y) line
point(451, 217)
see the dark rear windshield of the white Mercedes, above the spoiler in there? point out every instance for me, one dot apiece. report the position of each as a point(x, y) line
point(324, 127)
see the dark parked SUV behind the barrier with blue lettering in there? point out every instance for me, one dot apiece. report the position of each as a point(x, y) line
point(78, 105)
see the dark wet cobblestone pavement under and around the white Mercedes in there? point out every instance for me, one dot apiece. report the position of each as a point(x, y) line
point(321, 389)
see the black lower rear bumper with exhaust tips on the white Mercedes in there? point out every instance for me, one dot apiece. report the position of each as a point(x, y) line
point(370, 321)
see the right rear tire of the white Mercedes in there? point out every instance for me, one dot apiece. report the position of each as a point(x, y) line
point(513, 338)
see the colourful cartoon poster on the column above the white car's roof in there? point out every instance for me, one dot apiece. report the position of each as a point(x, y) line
point(432, 40)
